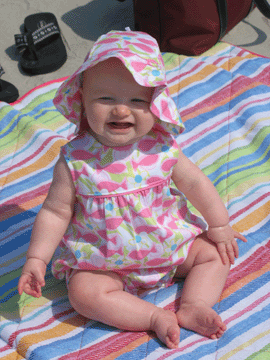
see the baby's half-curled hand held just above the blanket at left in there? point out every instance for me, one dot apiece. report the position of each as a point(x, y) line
point(32, 278)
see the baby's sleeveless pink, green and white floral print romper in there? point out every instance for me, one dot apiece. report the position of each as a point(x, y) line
point(127, 219)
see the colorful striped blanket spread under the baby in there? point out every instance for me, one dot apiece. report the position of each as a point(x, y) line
point(224, 99)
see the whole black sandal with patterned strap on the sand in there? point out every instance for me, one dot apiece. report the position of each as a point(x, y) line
point(41, 47)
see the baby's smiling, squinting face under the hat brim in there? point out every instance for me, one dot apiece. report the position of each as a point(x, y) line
point(116, 106)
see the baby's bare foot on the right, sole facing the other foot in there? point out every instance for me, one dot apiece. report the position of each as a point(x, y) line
point(202, 319)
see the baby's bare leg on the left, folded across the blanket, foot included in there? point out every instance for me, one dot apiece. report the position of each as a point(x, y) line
point(99, 295)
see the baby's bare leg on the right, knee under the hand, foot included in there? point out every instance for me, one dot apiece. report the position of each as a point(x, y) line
point(205, 278)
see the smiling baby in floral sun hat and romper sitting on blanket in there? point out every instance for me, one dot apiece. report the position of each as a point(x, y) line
point(118, 226)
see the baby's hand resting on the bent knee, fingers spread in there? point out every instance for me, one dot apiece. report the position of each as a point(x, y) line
point(224, 238)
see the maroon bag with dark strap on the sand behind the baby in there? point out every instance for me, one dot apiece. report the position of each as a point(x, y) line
point(191, 27)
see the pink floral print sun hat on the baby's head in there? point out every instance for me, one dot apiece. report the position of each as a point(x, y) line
point(140, 53)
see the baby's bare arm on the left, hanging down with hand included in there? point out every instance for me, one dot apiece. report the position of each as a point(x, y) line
point(48, 230)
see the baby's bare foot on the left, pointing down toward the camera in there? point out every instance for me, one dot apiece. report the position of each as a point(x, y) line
point(164, 324)
